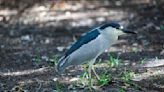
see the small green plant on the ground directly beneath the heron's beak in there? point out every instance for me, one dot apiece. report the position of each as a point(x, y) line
point(127, 75)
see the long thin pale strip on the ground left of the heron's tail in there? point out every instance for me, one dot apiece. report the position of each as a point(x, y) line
point(25, 72)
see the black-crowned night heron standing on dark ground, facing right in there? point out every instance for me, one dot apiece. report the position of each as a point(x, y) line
point(91, 45)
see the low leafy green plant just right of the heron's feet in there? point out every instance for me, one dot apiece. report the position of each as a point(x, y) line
point(104, 79)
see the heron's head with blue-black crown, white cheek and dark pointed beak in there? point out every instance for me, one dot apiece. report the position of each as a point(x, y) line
point(115, 28)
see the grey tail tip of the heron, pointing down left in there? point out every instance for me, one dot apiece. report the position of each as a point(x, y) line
point(62, 64)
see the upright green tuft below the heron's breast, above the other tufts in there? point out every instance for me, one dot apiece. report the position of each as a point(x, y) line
point(113, 62)
